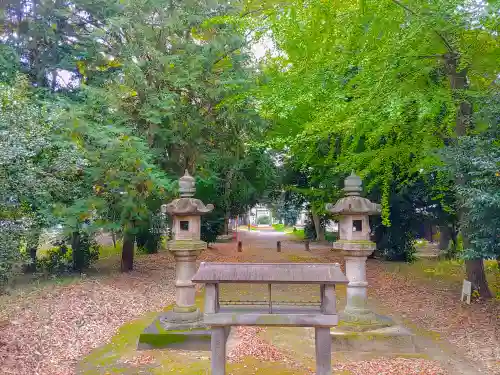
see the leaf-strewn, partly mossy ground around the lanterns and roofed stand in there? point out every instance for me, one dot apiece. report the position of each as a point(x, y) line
point(49, 329)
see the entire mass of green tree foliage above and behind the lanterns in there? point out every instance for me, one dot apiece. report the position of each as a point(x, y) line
point(104, 105)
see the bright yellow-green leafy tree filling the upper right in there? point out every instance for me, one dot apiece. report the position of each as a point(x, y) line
point(395, 80)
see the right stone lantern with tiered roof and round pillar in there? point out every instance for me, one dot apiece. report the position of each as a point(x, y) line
point(354, 243)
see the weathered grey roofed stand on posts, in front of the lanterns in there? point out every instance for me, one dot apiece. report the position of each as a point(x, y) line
point(222, 317)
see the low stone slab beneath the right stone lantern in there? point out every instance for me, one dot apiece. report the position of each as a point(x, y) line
point(388, 340)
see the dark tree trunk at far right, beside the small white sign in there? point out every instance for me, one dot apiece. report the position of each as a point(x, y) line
point(458, 82)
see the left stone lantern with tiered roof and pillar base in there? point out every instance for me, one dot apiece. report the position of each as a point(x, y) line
point(185, 246)
